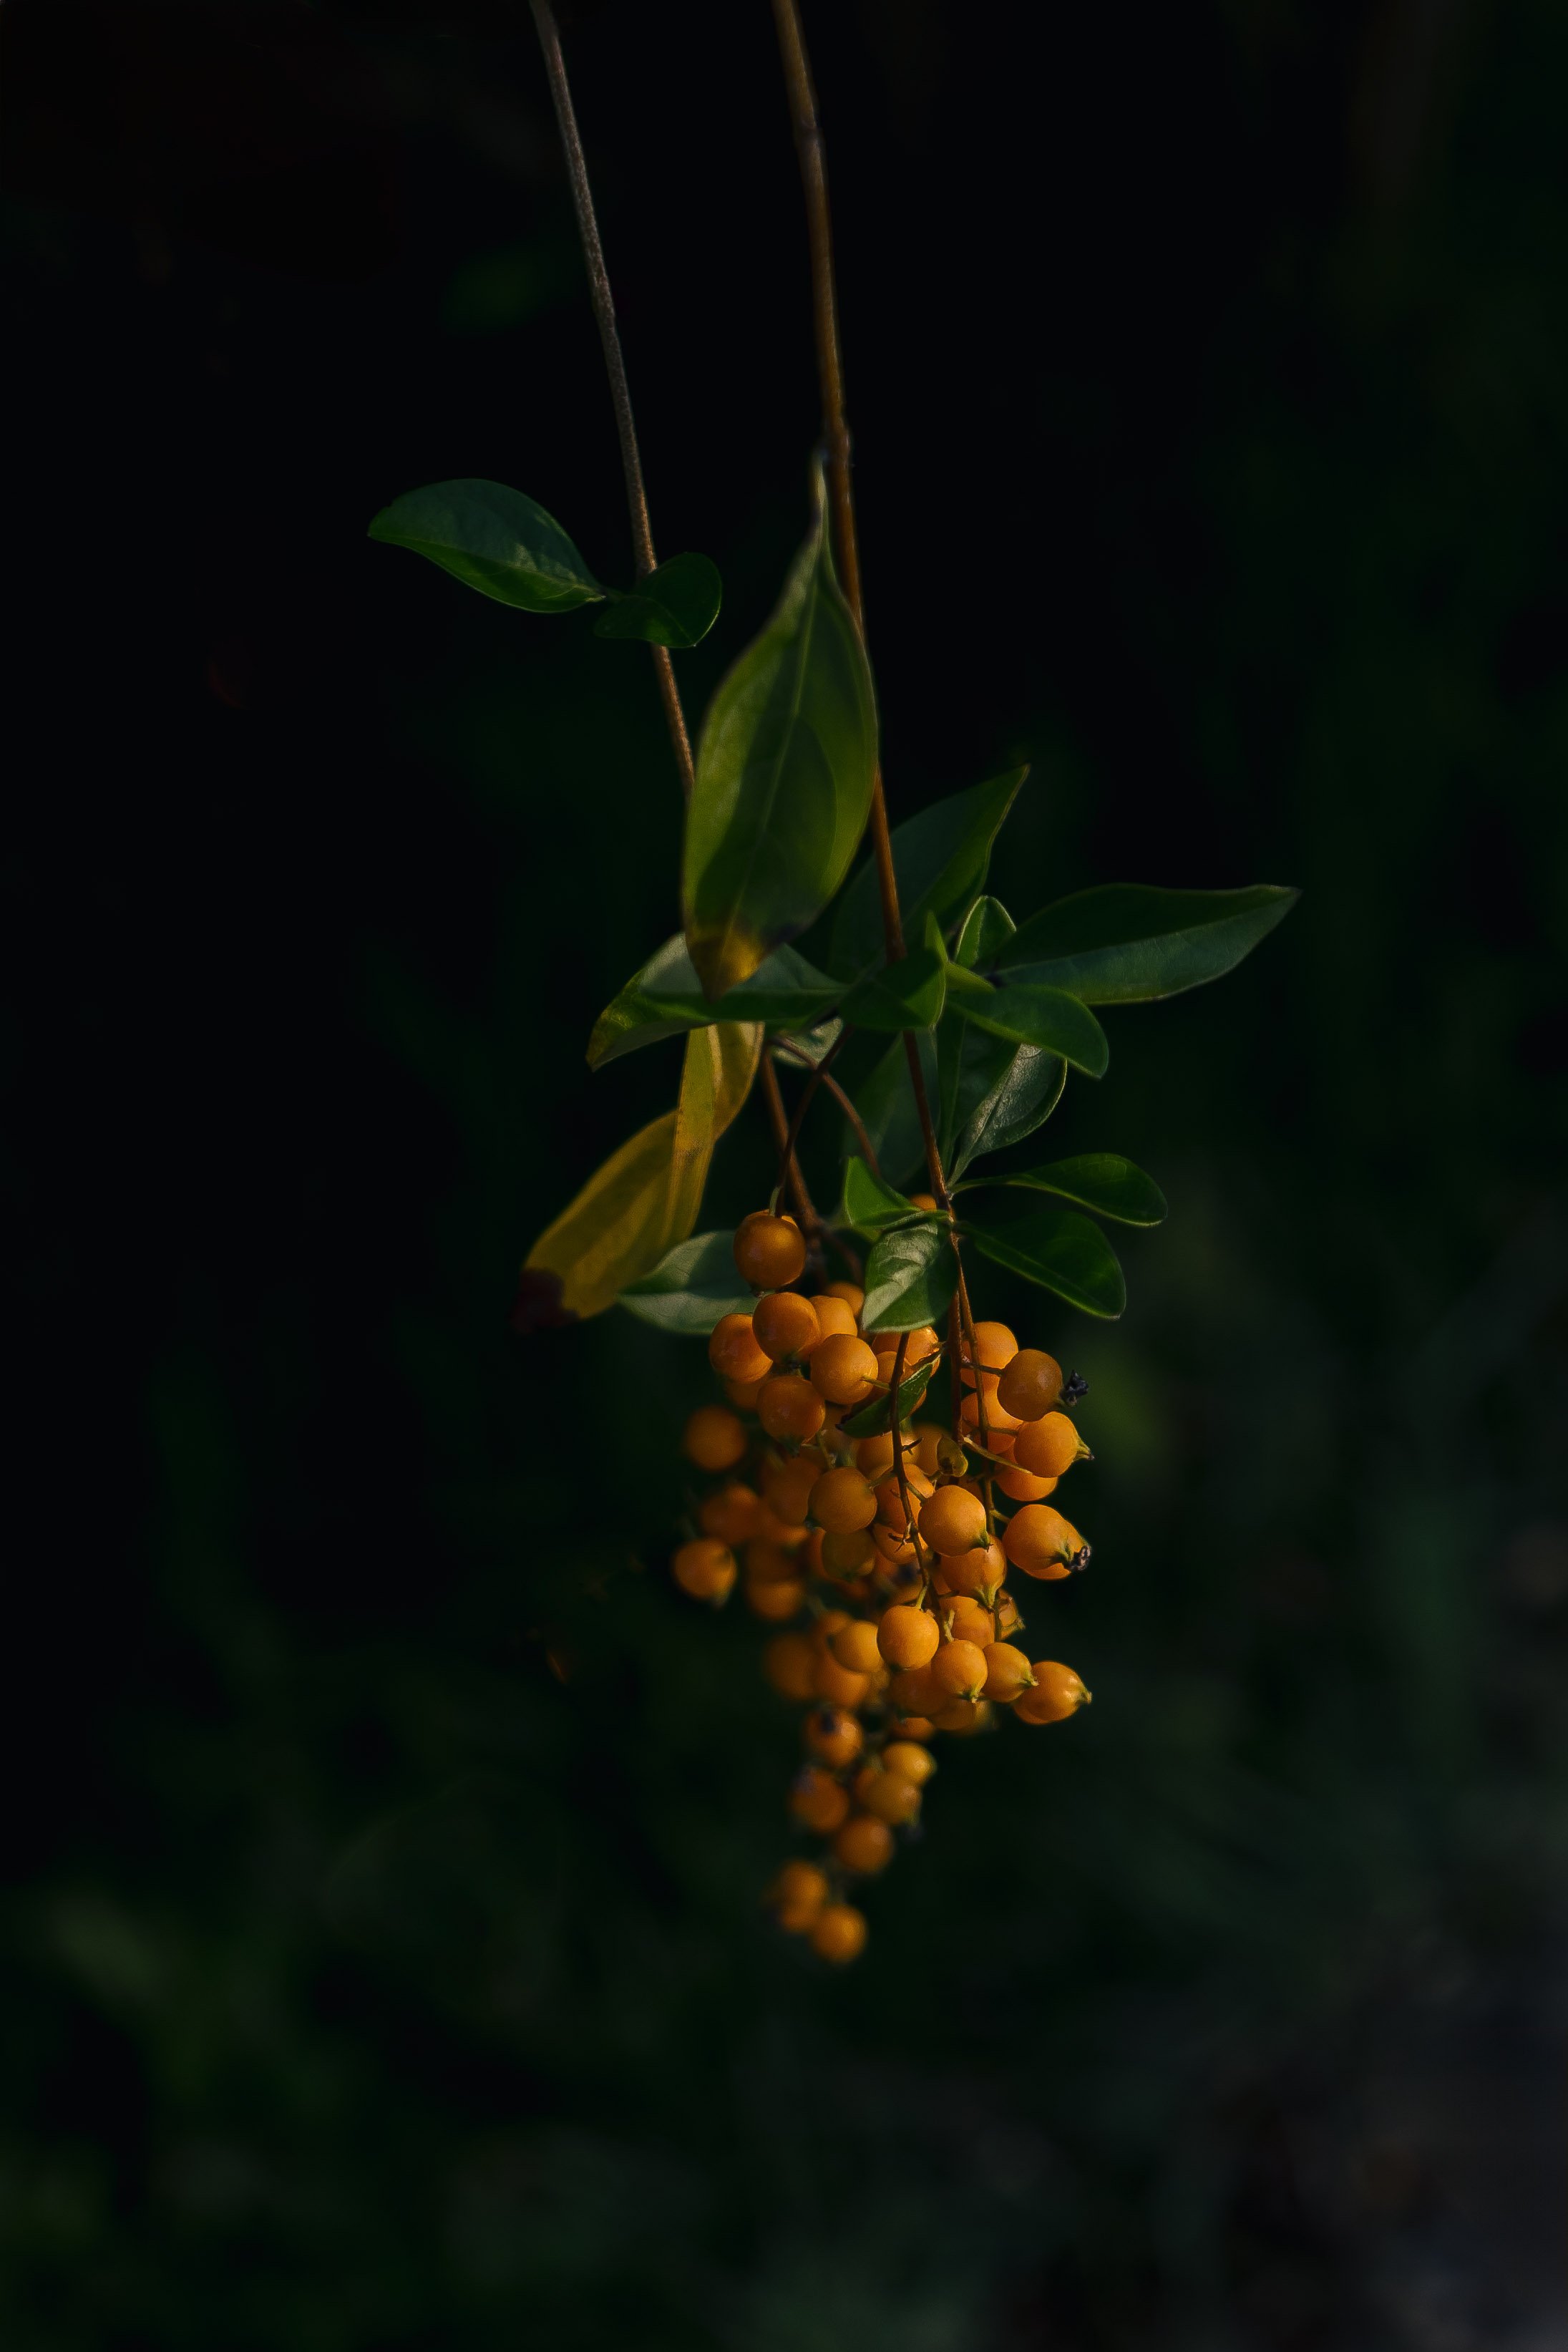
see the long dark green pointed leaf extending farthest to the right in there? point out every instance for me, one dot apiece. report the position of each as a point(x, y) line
point(1127, 944)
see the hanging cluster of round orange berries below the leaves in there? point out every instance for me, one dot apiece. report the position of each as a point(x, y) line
point(890, 1551)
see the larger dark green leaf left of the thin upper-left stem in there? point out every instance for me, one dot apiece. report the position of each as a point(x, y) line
point(495, 540)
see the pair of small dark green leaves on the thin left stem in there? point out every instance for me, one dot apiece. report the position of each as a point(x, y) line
point(507, 547)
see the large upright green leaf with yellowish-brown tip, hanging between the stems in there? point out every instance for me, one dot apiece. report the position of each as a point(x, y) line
point(784, 780)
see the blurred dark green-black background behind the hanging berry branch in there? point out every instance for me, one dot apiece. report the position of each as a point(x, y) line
point(370, 1989)
